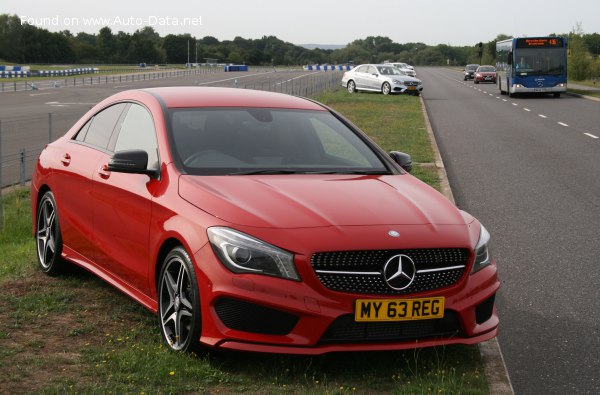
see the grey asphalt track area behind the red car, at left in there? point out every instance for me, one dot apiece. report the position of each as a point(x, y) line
point(25, 120)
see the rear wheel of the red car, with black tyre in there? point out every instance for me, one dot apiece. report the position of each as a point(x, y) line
point(48, 237)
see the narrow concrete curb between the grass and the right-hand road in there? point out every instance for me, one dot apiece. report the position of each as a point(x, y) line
point(494, 365)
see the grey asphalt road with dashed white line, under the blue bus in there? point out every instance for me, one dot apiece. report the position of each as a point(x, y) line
point(528, 168)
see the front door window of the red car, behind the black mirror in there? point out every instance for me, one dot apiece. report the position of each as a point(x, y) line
point(137, 132)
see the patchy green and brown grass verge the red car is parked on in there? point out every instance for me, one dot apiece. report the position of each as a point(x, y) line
point(75, 334)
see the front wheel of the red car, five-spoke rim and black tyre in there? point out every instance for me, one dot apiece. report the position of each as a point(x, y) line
point(179, 315)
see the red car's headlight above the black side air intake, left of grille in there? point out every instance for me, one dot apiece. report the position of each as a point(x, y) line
point(242, 253)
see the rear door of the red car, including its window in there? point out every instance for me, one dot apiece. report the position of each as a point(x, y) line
point(73, 179)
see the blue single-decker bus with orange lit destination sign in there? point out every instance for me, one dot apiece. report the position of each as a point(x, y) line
point(532, 65)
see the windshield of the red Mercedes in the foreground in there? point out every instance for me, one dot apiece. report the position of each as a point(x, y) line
point(231, 141)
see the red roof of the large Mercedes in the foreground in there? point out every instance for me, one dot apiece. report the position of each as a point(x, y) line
point(193, 96)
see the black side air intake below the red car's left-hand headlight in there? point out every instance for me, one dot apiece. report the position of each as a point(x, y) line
point(249, 317)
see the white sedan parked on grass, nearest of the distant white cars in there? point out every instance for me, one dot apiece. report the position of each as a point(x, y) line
point(383, 78)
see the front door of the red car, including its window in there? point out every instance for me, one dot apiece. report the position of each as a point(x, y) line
point(122, 202)
